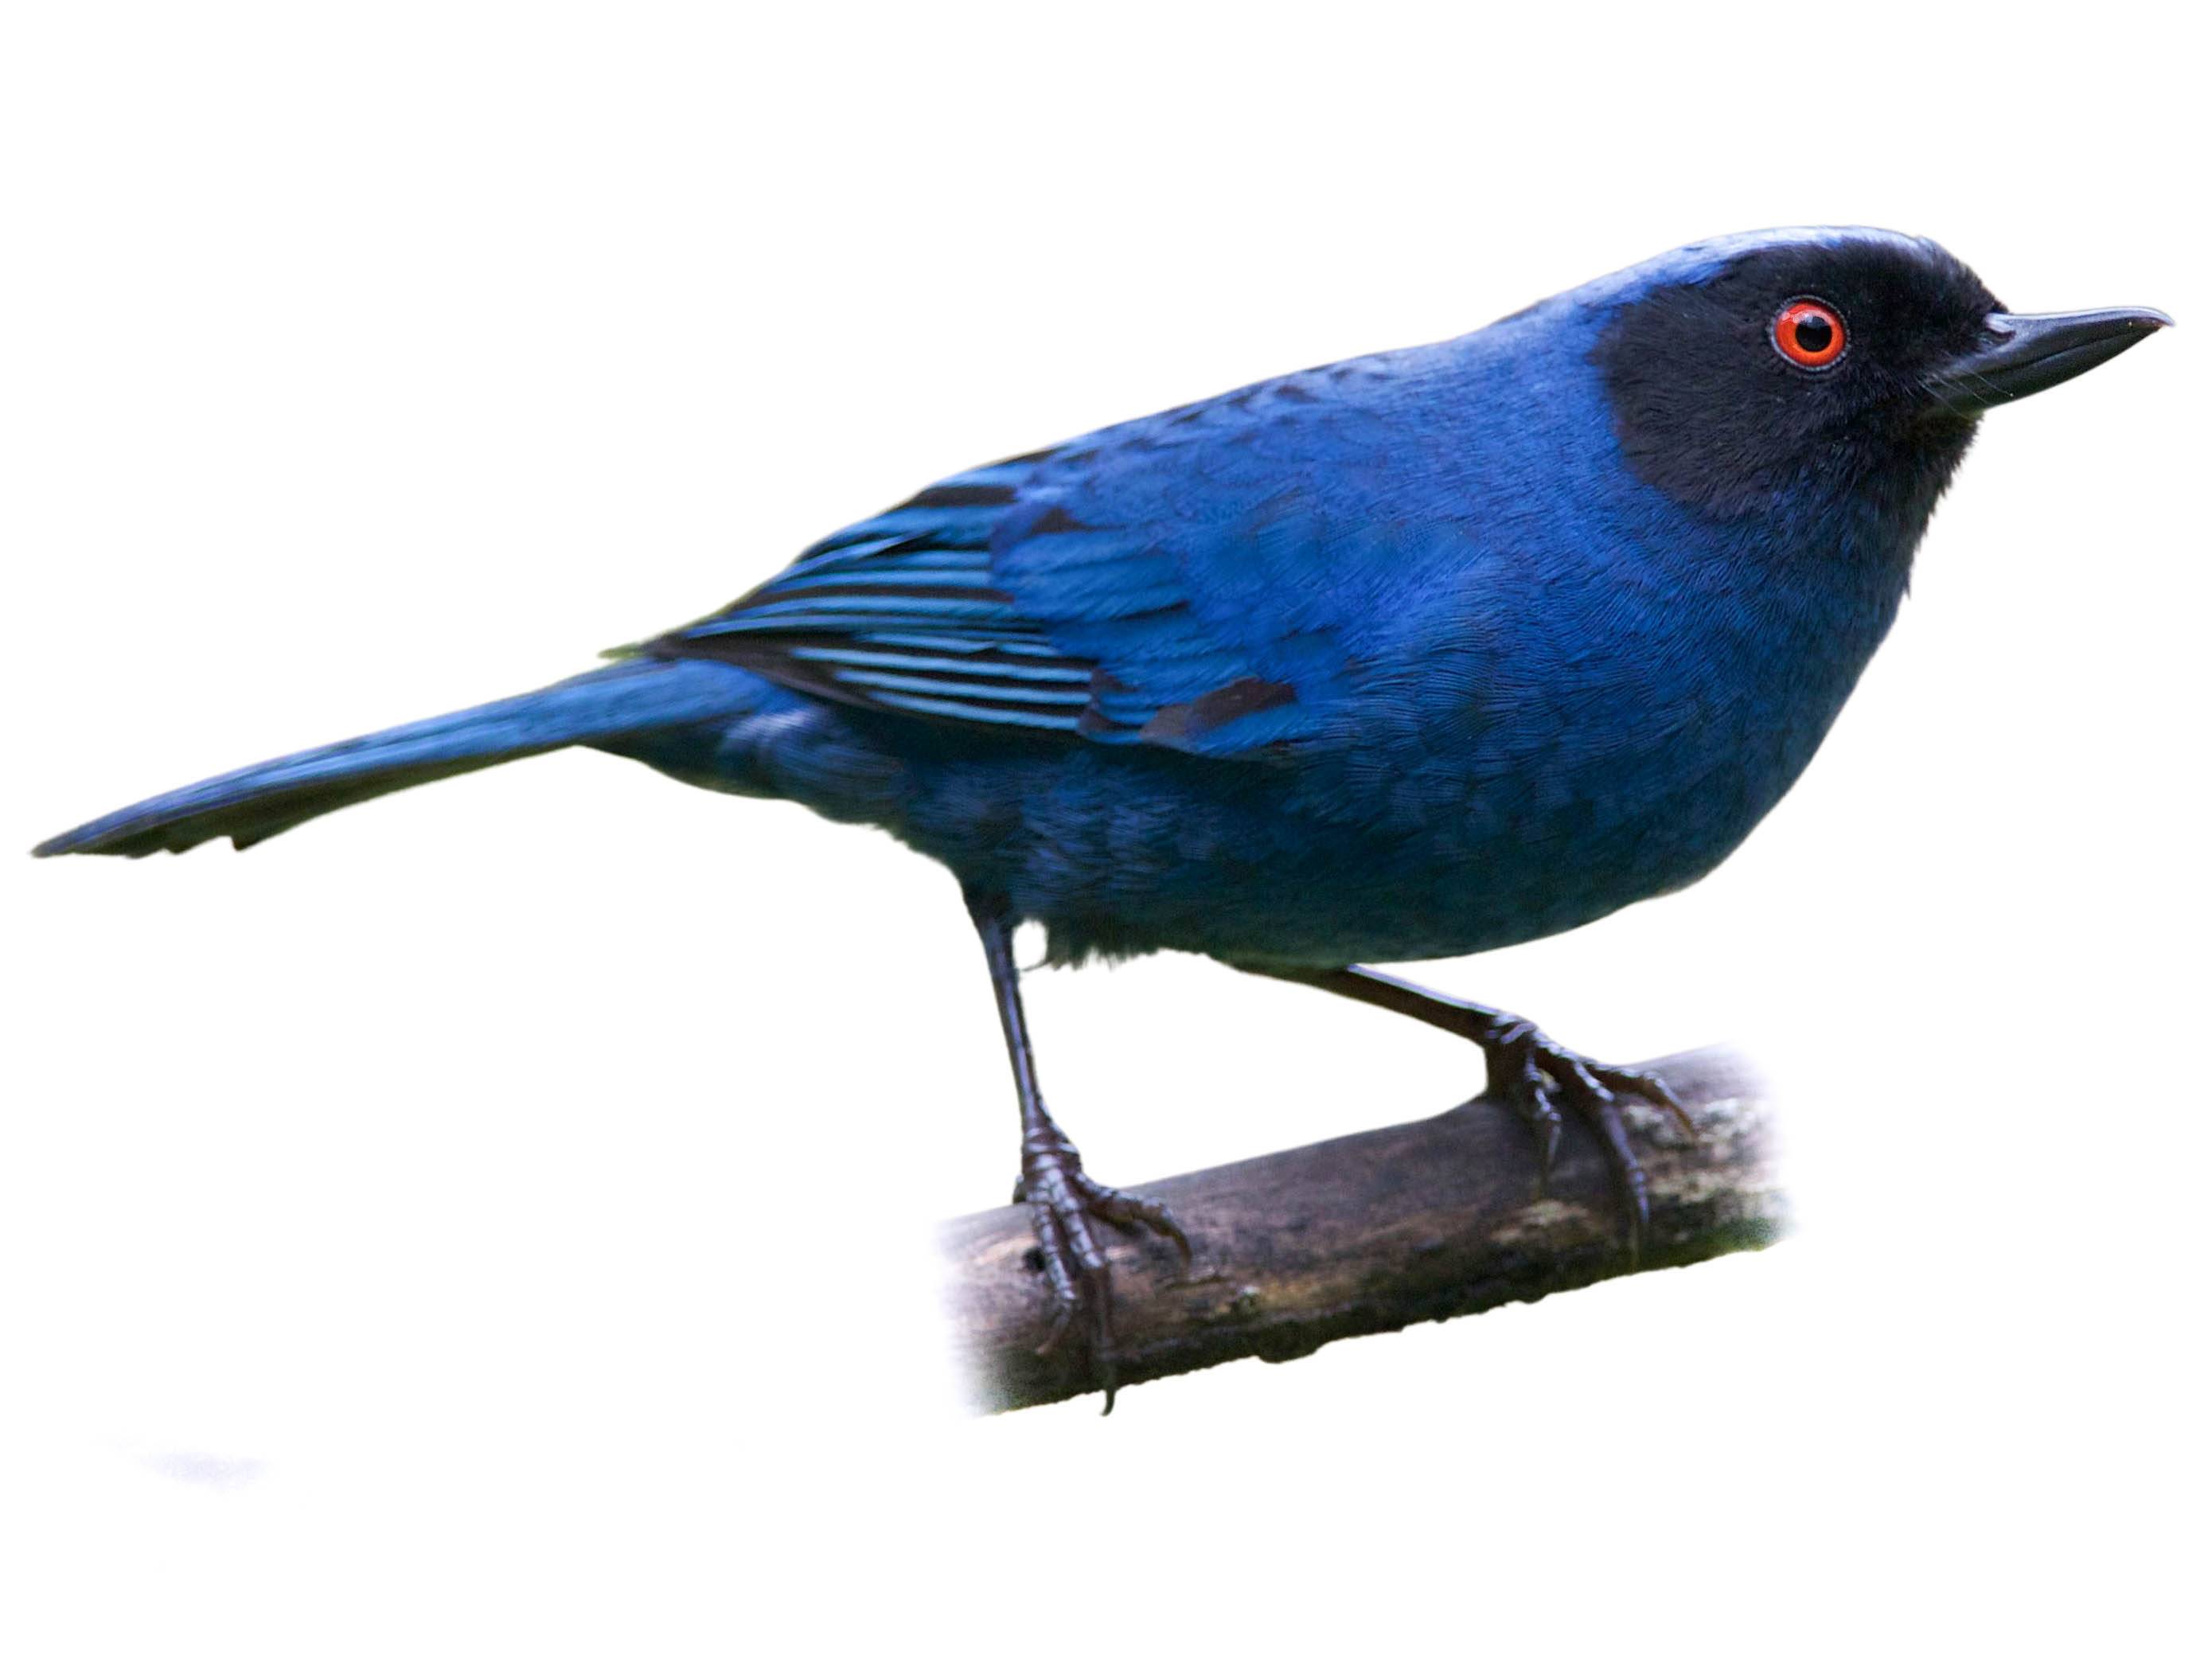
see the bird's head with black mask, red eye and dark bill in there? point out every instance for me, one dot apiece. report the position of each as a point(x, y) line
point(1757, 371)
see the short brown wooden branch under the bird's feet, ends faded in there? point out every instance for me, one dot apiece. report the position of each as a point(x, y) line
point(1373, 1233)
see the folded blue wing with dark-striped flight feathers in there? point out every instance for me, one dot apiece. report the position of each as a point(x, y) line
point(1162, 583)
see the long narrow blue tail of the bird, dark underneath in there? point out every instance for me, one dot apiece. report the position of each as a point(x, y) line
point(273, 797)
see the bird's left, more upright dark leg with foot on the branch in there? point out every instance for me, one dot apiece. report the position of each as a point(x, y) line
point(1063, 1200)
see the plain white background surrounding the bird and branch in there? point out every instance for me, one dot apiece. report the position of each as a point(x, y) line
point(497, 1220)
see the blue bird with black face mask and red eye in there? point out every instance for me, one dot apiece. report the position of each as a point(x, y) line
point(1401, 658)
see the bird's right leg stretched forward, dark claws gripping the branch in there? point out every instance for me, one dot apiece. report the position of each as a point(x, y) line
point(1530, 1072)
